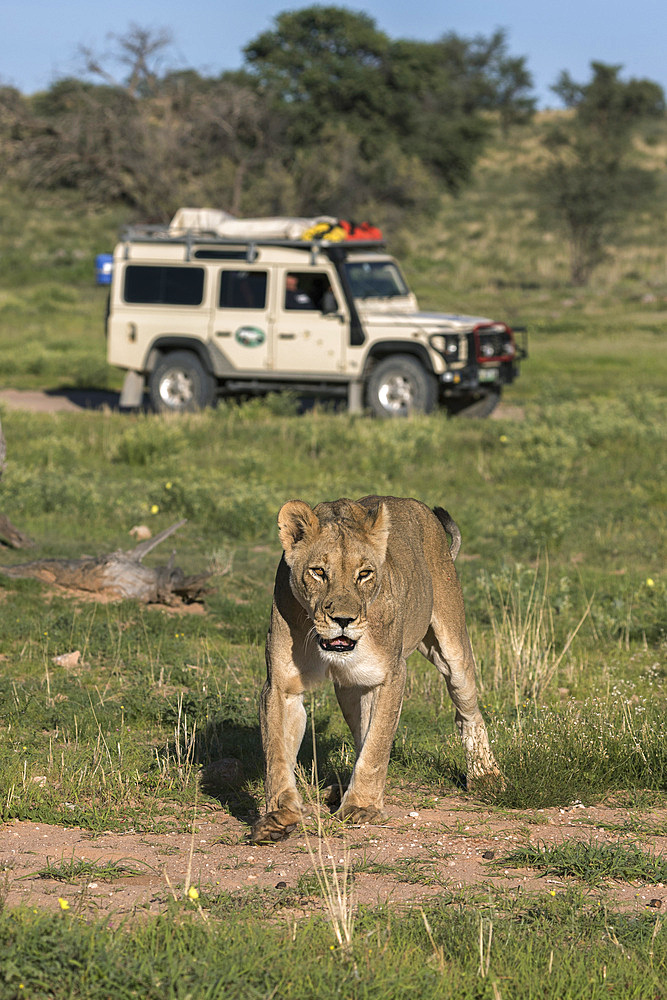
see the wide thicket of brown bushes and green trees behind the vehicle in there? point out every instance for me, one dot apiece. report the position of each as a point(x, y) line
point(329, 114)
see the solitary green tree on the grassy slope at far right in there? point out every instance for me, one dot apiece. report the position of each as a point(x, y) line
point(588, 183)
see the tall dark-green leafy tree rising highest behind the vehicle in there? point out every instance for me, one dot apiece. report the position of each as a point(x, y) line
point(327, 66)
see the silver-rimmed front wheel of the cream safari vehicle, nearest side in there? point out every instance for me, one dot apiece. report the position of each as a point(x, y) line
point(399, 385)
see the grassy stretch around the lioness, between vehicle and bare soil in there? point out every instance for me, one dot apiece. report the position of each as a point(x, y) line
point(569, 659)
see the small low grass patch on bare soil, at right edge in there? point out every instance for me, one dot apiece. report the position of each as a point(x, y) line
point(592, 863)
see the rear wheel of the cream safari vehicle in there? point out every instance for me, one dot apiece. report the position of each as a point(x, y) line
point(179, 383)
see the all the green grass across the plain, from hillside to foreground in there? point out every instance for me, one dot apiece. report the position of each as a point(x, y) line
point(562, 516)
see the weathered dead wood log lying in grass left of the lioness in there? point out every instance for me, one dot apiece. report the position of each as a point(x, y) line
point(120, 574)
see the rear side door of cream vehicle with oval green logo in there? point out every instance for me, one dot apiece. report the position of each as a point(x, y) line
point(241, 323)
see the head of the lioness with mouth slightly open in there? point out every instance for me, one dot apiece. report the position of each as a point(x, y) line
point(336, 555)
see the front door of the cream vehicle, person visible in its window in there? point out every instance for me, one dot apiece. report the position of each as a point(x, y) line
point(312, 325)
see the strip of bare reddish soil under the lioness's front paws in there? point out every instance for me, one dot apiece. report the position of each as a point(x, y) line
point(453, 847)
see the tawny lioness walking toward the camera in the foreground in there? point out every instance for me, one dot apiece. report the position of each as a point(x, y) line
point(359, 587)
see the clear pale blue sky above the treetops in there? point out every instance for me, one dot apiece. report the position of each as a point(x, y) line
point(40, 40)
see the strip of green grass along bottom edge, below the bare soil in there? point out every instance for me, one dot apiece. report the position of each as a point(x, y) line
point(563, 944)
